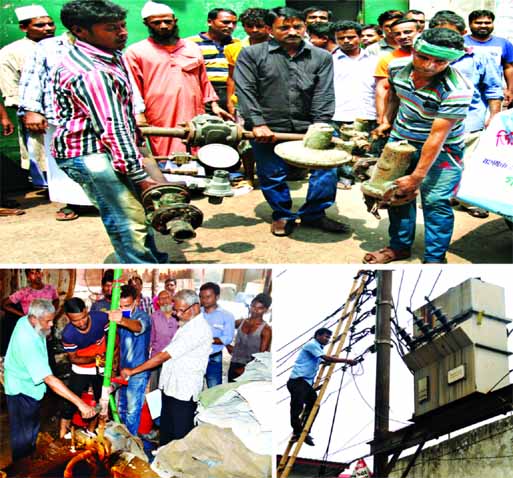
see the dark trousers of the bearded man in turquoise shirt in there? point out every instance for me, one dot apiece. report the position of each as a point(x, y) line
point(23, 424)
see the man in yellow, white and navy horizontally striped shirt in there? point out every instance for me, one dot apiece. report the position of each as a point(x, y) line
point(221, 24)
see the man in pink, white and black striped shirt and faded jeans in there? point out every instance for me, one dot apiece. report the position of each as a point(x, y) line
point(96, 138)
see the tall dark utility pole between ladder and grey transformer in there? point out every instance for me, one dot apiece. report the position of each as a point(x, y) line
point(383, 346)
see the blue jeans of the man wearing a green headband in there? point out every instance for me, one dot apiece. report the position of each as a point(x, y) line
point(435, 193)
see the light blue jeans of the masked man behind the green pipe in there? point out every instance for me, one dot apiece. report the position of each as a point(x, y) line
point(131, 401)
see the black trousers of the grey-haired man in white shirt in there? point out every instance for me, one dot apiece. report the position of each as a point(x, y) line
point(176, 418)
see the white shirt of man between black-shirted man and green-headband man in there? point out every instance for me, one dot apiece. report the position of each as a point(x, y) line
point(355, 88)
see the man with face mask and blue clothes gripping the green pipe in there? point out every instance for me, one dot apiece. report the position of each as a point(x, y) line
point(134, 330)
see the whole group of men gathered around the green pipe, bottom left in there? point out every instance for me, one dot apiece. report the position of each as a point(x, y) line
point(174, 344)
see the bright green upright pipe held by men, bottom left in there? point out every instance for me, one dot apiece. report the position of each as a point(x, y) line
point(109, 357)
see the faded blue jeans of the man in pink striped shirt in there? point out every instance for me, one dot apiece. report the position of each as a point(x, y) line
point(120, 209)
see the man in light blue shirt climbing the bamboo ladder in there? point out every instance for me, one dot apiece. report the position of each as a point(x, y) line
point(300, 383)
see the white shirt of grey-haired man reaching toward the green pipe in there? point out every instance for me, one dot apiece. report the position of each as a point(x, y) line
point(182, 375)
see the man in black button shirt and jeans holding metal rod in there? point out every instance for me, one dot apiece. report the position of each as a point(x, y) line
point(265, 75)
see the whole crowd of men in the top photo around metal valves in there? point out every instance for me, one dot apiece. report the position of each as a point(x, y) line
point(293, 69)
